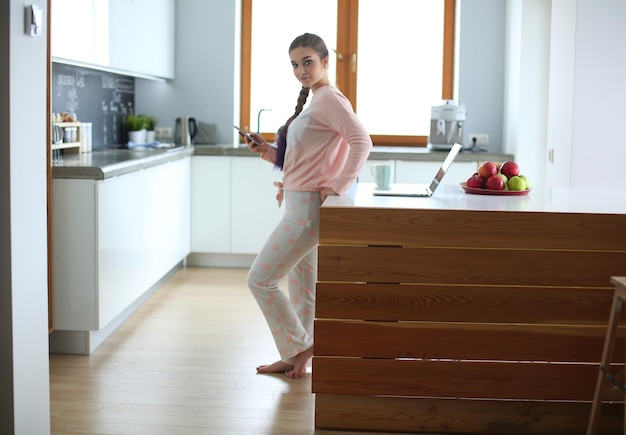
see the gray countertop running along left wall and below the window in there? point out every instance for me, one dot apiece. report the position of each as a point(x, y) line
point(102, 164)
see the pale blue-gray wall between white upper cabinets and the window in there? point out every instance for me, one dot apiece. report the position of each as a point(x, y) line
point(206, 86)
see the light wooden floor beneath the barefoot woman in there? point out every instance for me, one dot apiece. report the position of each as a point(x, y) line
point(184, 363)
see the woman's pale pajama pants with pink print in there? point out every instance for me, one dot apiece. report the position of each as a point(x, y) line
point(291, 251)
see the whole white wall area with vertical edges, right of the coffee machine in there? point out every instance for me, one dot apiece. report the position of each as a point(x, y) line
point(565, 92)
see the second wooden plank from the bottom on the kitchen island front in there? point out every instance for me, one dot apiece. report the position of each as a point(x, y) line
point(457, 379)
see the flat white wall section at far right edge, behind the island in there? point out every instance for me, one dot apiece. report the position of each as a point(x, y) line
point(599, 94)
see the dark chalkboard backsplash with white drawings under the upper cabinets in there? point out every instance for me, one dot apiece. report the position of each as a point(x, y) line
point(99, 97)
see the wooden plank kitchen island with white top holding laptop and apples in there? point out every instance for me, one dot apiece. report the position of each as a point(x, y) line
point(467, 314)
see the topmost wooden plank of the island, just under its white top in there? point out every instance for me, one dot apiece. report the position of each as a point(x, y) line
point(455, 228)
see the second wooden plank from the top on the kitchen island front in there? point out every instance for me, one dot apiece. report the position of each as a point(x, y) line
point(469, 266)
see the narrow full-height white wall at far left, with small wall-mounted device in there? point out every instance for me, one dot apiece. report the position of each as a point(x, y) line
point(24, 379)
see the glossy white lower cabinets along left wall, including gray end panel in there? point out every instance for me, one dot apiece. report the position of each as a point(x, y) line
point(114, 239)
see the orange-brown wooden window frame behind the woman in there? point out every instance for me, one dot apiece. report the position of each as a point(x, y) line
point(347, 37)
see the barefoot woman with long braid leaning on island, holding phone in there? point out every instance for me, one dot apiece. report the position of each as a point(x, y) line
point(321, 151)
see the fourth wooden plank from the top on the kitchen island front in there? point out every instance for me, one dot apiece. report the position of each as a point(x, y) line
point(462, 341)
